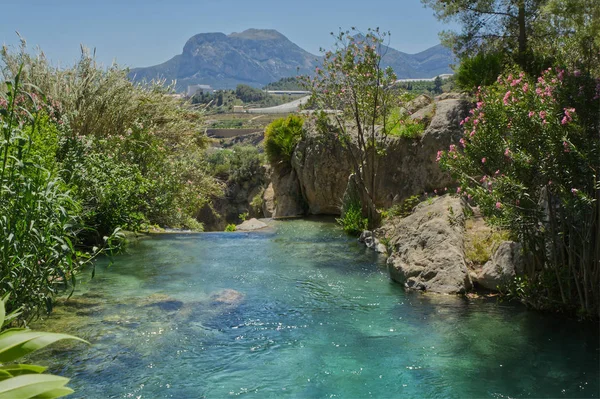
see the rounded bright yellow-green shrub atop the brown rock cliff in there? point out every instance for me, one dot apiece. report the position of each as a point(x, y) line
point(281, 137)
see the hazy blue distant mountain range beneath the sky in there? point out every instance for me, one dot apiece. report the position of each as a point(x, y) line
point(260, 56)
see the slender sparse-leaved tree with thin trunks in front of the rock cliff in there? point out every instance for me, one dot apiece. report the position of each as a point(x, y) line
point(353, 82)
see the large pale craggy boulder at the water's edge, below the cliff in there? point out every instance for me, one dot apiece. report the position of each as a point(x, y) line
point(428, 247)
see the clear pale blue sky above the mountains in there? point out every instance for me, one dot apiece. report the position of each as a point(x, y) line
point(148, 32)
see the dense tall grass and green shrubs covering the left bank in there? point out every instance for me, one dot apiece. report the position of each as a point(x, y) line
point(85, 152)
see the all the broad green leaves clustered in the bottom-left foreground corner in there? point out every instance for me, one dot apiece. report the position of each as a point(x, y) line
point(25, 381)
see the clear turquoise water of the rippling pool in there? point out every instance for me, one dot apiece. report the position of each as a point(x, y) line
point(313, 315)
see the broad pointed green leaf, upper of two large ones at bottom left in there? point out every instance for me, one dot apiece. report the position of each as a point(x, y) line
point(18, 342)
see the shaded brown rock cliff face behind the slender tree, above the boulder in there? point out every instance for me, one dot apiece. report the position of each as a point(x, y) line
point(322, 166)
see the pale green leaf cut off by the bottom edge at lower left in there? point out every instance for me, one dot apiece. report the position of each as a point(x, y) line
point(33, 386)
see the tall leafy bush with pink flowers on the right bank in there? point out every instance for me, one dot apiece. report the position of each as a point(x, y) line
point(530, 157)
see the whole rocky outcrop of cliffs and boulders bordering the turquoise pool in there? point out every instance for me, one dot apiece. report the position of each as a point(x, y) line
point(426, 248)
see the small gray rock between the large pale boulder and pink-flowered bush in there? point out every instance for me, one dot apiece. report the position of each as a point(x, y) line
point(506, 262)
